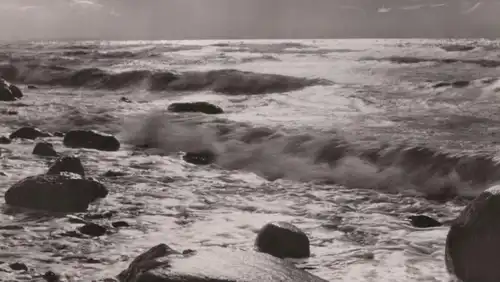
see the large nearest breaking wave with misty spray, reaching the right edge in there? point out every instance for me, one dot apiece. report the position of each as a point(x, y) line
point(317, 157)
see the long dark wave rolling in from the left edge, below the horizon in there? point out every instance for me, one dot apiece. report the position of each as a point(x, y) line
point(226, 81)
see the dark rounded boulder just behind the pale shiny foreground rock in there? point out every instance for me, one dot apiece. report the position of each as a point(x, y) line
point(283, 240)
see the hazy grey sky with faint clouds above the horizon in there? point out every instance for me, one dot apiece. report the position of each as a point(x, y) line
point(239, 19)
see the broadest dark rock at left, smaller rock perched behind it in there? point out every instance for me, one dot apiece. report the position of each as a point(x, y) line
point(65, 192)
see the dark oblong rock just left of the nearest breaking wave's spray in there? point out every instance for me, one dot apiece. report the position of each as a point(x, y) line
point(91, 139)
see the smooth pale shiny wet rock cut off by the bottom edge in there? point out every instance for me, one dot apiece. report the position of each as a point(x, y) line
point(162, 264)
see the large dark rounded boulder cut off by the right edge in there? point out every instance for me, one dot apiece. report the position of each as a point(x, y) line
point(473, 242)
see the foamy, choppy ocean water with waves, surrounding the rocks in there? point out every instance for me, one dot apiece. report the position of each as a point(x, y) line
point(343, 138)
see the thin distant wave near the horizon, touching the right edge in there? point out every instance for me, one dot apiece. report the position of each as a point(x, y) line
point(416, 60)
